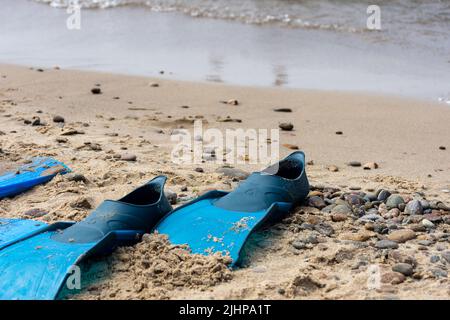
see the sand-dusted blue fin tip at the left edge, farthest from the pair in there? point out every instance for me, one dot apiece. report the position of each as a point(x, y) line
point(38, 171)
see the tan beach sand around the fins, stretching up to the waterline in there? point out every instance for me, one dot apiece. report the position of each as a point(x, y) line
point(132, 116)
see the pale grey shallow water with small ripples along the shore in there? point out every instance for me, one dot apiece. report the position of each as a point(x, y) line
point(299, 44)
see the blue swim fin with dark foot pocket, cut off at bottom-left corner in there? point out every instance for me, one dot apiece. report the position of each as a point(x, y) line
point(36, 264)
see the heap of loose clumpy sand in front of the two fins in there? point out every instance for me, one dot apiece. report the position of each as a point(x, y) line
point(153, 268)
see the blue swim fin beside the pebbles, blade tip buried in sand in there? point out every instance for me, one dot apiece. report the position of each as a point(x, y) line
point(221, 222)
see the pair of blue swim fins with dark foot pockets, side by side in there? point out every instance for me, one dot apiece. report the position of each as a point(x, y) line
point(35, 258)
